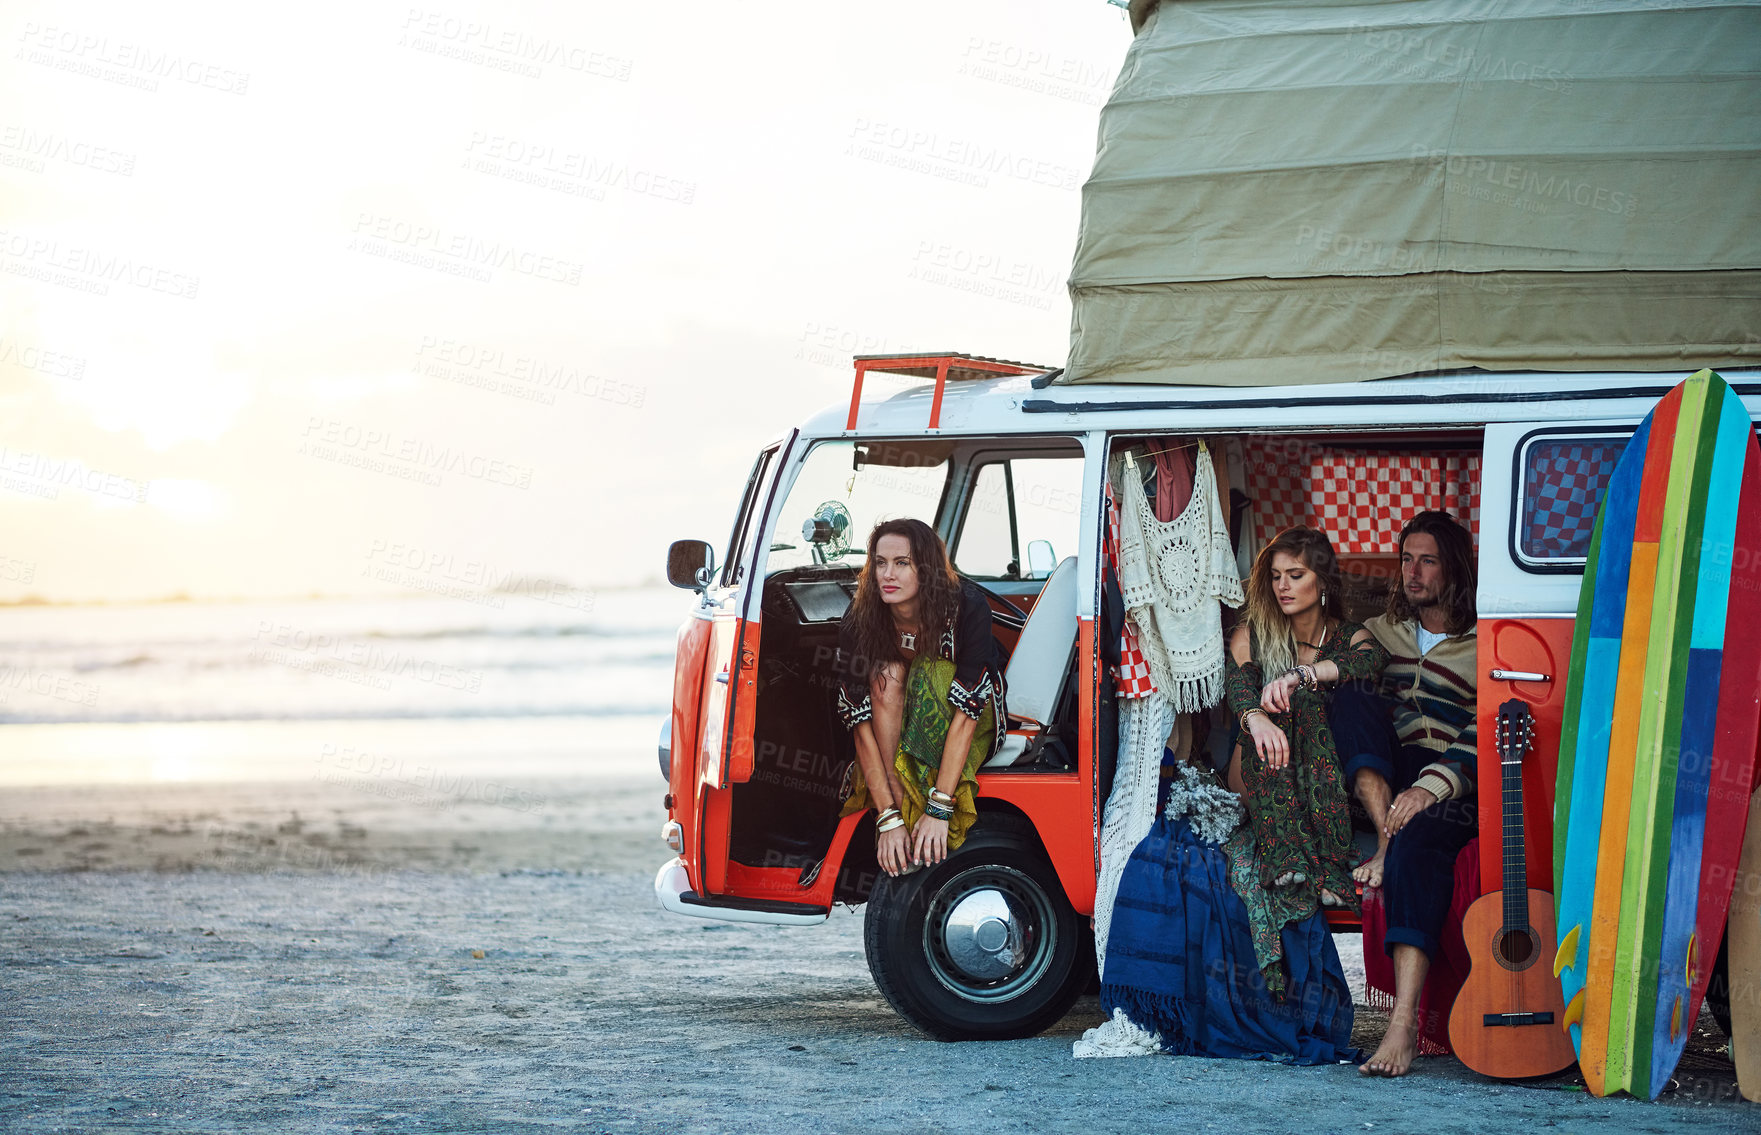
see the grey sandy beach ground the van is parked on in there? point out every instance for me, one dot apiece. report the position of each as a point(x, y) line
point(337, 958)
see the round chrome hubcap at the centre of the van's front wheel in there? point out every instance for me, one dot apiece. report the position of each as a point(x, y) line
point(991, 934)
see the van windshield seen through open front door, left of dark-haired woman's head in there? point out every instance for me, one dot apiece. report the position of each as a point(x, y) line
point(846, 488)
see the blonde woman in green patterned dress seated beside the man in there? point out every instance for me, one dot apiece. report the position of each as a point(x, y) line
point(1295, 647)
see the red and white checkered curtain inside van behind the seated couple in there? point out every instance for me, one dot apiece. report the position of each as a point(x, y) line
point(1359, 497)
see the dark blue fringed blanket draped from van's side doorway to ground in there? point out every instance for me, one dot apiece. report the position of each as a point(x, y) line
point(1181, 962)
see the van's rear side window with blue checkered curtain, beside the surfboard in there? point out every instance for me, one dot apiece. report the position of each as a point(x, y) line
point(1563, 483)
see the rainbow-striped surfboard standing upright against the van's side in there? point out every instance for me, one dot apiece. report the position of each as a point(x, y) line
point(1658, 747)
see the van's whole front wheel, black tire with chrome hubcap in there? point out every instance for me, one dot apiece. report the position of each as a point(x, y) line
point(1028, 955)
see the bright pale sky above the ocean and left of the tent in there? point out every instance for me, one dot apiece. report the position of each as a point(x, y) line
point(290, 295)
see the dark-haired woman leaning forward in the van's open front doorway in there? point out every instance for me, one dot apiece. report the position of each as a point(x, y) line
point(920, 689)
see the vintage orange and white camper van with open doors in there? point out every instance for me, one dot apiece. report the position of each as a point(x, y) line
point(1010, 469)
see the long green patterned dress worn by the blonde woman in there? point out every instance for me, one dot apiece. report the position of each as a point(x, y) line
point(1299, 817)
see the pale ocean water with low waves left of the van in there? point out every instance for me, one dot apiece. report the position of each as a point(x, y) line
point(573, 685)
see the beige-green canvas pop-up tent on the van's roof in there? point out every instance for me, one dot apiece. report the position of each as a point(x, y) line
point(1325, 191)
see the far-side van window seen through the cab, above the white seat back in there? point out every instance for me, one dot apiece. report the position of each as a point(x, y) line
point(1022, 520)
